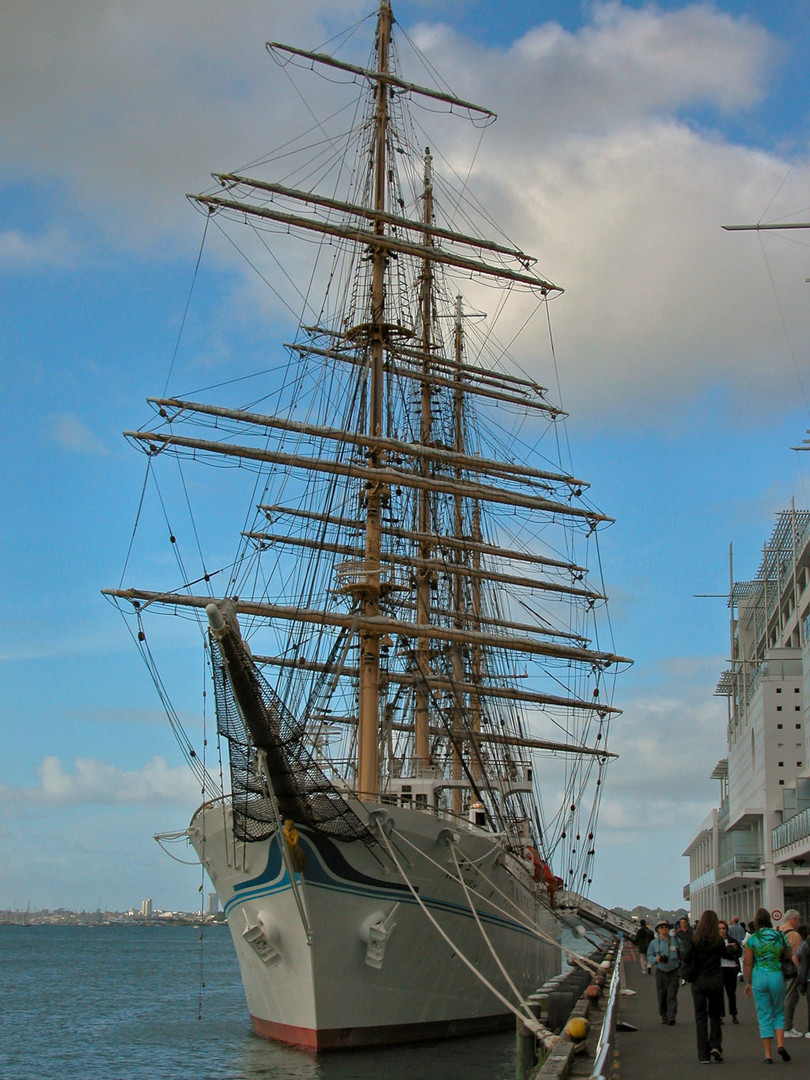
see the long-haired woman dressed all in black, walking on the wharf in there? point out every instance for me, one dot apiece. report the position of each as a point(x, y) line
point(703, 968)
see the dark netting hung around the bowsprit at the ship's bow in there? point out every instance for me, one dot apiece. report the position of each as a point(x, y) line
point(252, 717)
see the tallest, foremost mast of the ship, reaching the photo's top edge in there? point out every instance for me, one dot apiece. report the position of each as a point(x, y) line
point(370, 641)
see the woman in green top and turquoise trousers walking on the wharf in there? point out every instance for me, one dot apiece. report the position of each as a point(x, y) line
point(764, 979)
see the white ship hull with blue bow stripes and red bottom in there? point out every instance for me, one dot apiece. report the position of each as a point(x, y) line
point(315, 976)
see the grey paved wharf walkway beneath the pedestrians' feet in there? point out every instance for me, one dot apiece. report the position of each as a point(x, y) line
point(656, 1052)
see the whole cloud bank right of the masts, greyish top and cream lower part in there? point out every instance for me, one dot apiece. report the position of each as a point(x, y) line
point(622, 195)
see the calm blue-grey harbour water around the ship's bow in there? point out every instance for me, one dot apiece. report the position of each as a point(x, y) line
point(126, 1003)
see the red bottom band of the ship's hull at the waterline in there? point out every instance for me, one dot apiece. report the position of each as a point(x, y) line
point(346, 1038)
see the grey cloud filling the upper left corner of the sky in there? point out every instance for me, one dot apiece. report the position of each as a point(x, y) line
point(130, 106)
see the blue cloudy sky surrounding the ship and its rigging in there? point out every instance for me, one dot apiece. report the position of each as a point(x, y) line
point(632, 132)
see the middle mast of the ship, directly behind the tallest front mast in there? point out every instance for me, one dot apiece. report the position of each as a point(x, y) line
point(422, 698)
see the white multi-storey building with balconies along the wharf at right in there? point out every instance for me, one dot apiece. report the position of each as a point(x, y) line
point(754, 850)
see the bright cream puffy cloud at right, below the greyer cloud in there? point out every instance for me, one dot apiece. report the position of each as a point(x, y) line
point(661, 303)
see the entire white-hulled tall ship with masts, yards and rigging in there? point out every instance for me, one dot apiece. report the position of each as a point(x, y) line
point(409, 616)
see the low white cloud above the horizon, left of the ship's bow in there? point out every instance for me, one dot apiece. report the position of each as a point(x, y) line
point(93, 782)
